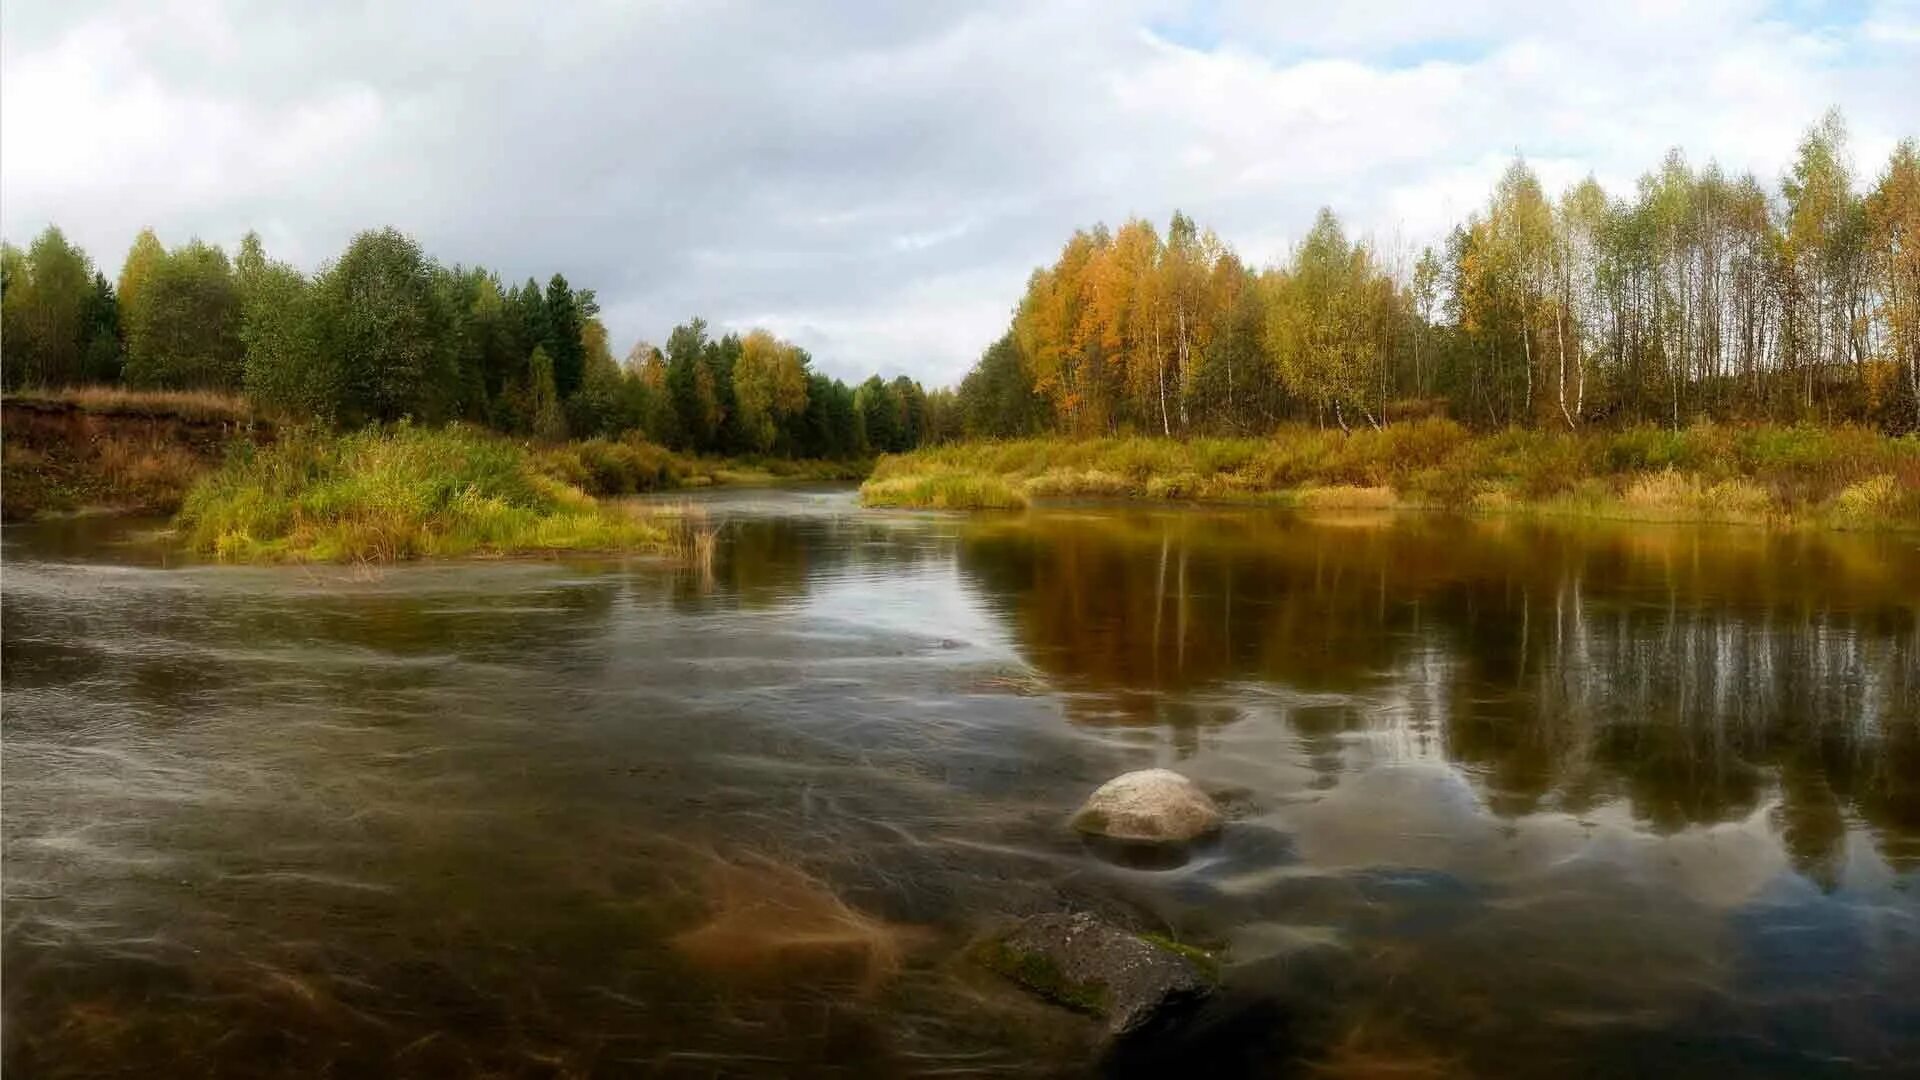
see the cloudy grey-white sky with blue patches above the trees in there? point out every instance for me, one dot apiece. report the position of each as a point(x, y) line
point(878, 180)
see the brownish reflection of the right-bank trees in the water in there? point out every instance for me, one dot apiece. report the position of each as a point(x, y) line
point(1696, 674)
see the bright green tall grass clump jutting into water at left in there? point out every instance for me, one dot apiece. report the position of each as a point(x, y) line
point(396, 495)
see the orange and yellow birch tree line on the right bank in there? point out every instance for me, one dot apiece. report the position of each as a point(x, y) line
point(1702, 295)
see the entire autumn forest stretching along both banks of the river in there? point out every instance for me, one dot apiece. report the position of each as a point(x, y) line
point(1702, 297)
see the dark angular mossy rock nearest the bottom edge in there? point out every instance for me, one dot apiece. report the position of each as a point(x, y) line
point(1093, 968)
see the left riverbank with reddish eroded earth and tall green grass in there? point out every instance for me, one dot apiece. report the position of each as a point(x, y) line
point(249, 489)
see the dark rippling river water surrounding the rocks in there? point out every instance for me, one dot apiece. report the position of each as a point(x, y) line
point(1506, 798)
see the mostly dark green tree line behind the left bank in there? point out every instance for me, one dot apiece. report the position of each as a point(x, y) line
point(385, 333)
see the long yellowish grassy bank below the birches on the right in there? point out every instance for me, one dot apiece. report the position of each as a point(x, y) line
point(1833, 478)
